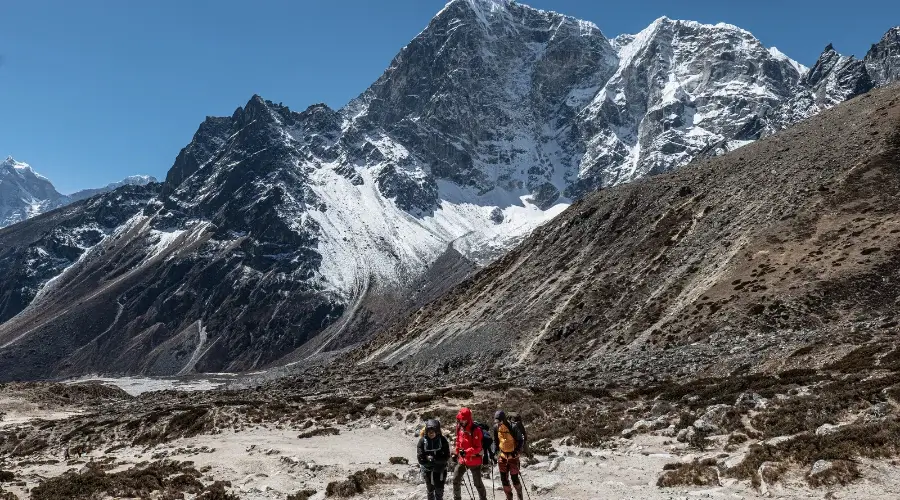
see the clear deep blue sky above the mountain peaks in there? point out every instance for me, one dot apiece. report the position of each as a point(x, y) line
point(94, 90)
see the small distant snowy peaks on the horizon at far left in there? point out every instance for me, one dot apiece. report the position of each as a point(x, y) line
point(25, 193)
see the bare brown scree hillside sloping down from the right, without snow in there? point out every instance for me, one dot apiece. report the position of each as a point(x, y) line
point(775, 256)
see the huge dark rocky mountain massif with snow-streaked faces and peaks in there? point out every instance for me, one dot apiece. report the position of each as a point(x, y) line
point(280, 236)
